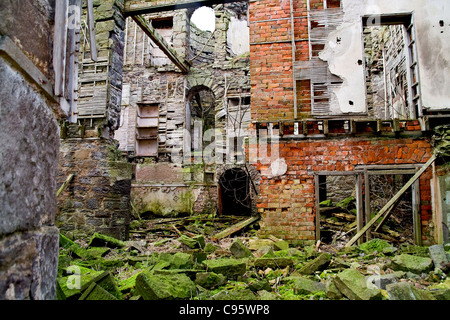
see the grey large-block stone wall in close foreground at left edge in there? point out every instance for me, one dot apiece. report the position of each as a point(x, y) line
point(29, 153)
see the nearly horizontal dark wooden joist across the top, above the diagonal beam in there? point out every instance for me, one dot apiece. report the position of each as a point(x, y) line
point(149, 7)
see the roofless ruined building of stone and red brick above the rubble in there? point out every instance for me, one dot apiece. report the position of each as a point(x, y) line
point(284, 105)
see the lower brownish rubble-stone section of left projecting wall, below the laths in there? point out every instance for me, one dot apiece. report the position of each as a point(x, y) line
point(98, 198)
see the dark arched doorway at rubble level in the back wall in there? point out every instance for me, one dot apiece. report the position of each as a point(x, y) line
point(234, 193)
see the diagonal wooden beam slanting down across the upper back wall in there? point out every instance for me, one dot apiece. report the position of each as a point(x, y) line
point(182, 64)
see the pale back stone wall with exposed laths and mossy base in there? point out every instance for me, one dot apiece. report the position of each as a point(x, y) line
point(165, 186)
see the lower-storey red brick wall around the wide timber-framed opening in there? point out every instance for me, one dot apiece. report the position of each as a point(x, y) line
point(287, 204)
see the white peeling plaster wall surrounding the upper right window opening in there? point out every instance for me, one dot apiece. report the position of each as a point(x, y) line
point(432, 34)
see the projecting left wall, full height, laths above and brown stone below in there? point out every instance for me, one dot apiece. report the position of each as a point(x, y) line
point(98, 198)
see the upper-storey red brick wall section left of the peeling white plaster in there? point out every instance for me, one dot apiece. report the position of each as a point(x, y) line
point(271, 67)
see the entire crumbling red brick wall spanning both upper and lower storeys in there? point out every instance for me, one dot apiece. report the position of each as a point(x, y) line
point(287, 202)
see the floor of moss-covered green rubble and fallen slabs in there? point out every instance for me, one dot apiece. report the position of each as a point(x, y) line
point(184, 258)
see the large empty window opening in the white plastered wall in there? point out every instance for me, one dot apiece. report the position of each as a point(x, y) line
point(392, 82)
